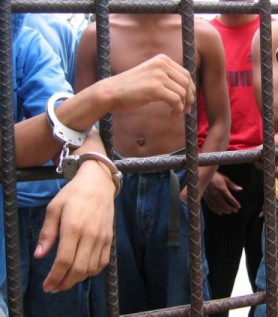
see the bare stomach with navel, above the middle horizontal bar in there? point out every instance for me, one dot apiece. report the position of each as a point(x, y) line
point(142, 132)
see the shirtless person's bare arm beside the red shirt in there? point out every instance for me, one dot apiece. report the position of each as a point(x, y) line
point(214, 85)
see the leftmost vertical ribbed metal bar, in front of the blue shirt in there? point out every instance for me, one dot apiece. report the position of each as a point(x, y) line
point(8, 163)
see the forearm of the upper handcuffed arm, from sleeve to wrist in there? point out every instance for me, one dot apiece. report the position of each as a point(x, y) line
point(34, 140)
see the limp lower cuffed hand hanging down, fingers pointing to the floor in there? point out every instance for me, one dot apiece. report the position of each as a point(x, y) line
point(82, 215)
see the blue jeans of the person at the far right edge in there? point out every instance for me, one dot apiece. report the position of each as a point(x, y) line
point(260, 310)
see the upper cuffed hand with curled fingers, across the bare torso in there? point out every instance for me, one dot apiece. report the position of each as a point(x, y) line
point(158, 79)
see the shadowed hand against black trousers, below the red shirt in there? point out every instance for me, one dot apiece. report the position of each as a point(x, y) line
point(218, 195)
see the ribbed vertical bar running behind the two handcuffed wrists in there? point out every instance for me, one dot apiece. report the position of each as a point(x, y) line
point(104, 71)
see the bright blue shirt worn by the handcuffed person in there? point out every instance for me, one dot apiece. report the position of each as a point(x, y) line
point(37, 76)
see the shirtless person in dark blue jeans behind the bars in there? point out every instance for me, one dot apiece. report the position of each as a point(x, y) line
point(152, 273)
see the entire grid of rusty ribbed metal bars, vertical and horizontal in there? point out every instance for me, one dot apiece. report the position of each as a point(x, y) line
point(186, 8)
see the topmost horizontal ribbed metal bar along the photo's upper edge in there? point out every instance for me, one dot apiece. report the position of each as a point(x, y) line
point(136, 6)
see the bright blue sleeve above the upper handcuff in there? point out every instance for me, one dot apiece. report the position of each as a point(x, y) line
point(39, 73)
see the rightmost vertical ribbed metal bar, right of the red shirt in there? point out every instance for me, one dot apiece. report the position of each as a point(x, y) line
point(268, 157)
